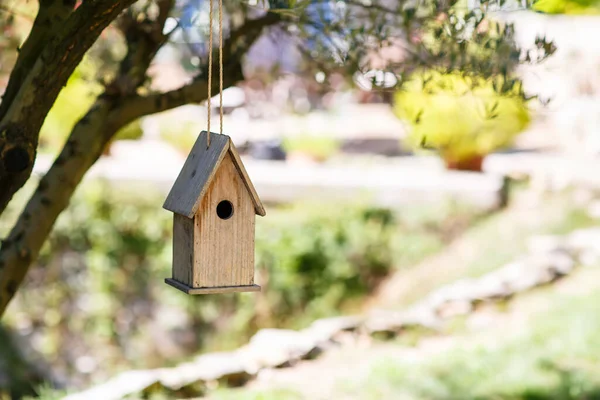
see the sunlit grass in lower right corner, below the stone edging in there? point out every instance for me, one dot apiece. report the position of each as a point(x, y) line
point(557, 358)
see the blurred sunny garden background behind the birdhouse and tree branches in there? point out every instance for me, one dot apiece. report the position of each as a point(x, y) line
point(429, 235)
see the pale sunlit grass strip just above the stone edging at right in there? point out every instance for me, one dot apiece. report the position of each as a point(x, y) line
point(493, 242)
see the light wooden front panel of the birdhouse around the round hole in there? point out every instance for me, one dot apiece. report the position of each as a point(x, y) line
point(224, 254)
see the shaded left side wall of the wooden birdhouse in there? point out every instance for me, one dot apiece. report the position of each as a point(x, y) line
point(183, 249)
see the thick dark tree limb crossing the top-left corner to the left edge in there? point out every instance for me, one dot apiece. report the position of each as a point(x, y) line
point(25, 112)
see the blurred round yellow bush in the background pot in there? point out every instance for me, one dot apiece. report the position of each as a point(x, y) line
point(459, 116)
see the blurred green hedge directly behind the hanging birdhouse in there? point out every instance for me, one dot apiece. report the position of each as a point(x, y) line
point(97, 289)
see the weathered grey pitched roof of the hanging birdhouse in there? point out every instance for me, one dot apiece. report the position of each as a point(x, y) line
point(198, 171)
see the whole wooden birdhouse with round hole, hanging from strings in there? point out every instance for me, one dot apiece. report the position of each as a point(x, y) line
point(214, 205)
